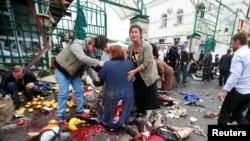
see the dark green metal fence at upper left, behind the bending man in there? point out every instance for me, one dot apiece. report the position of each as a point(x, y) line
point(20, 38)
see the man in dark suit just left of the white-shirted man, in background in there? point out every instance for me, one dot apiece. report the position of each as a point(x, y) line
point(224, 67)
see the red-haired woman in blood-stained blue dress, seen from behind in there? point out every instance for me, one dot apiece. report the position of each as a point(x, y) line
point(117, 110)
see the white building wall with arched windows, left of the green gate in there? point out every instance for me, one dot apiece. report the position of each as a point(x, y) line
point(170, 20)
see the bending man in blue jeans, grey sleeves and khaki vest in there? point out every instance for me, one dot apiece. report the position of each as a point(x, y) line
point(69, 66)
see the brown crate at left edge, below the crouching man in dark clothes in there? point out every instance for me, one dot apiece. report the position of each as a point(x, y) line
point(7, 109)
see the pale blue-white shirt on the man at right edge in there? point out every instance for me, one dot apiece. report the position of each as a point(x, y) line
point(239, 71)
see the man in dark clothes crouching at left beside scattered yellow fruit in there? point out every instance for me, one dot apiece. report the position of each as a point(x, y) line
point(17, 80)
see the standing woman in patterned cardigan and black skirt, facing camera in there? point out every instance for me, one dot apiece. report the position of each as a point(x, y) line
point(145, 73)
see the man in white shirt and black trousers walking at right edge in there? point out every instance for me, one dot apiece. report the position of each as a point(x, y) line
point(236, 90)
